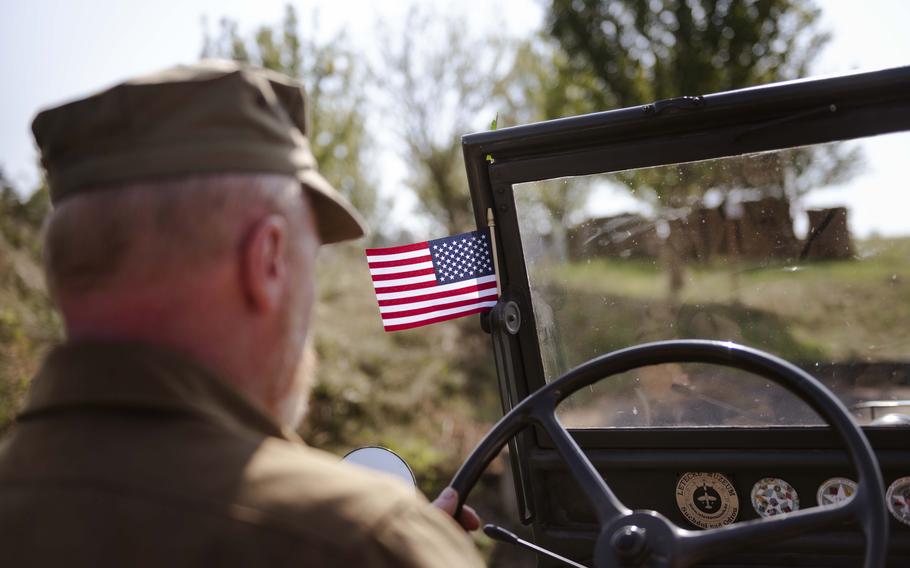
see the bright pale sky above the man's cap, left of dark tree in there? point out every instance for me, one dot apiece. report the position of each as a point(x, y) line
point(52, 51)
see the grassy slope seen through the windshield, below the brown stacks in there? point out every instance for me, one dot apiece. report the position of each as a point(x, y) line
point(831, 310)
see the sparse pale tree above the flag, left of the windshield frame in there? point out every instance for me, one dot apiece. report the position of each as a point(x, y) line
point(434, 88)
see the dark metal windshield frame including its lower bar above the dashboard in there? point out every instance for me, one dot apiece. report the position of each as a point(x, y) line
point(770, 117)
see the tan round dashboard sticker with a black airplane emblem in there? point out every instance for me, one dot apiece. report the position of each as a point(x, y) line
point(707, 500)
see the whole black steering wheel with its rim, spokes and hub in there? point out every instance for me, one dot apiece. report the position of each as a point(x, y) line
point(648, 538)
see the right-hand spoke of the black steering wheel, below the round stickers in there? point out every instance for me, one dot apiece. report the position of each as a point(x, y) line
point(694, 546)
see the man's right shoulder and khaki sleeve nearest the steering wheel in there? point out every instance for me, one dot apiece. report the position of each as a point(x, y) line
point(311, 492)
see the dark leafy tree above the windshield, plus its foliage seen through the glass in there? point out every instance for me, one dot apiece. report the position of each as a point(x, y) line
point(627, 52)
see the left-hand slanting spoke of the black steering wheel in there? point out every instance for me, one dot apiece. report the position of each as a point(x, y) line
point(606, 505)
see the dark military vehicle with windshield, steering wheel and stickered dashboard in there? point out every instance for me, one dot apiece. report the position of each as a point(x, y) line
point(693, 369)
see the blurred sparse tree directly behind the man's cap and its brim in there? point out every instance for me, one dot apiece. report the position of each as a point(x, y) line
point(334, 84)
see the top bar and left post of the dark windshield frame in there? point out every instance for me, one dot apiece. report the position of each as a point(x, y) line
point(770, 117)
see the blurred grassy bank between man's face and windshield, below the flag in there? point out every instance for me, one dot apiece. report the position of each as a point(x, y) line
point(428, 392)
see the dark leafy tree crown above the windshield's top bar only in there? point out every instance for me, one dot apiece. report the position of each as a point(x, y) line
point(637, 52)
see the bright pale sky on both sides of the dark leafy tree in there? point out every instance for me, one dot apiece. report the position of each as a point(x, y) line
point(52, 51)
